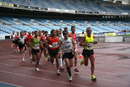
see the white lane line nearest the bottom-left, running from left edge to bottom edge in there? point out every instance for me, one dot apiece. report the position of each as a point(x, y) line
point(43, 79)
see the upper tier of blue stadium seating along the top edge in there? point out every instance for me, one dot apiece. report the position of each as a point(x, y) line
point(88, 5)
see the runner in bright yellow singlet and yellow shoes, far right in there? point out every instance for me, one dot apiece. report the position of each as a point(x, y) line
point(88, 43)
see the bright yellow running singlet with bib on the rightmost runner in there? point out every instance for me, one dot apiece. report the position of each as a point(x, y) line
point(89, 40)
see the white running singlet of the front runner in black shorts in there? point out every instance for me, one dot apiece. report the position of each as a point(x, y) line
point(67, 45)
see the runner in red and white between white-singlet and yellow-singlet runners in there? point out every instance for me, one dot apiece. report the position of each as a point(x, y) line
point(74, 37)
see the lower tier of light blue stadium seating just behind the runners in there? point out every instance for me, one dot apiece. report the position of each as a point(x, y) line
point(9, 24)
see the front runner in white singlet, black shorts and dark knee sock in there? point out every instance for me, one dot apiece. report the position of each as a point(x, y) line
point(68, 52)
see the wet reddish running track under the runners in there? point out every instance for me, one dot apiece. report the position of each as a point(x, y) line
point(112, 69)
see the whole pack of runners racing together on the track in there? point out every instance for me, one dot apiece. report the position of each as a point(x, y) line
point(59, 46)
